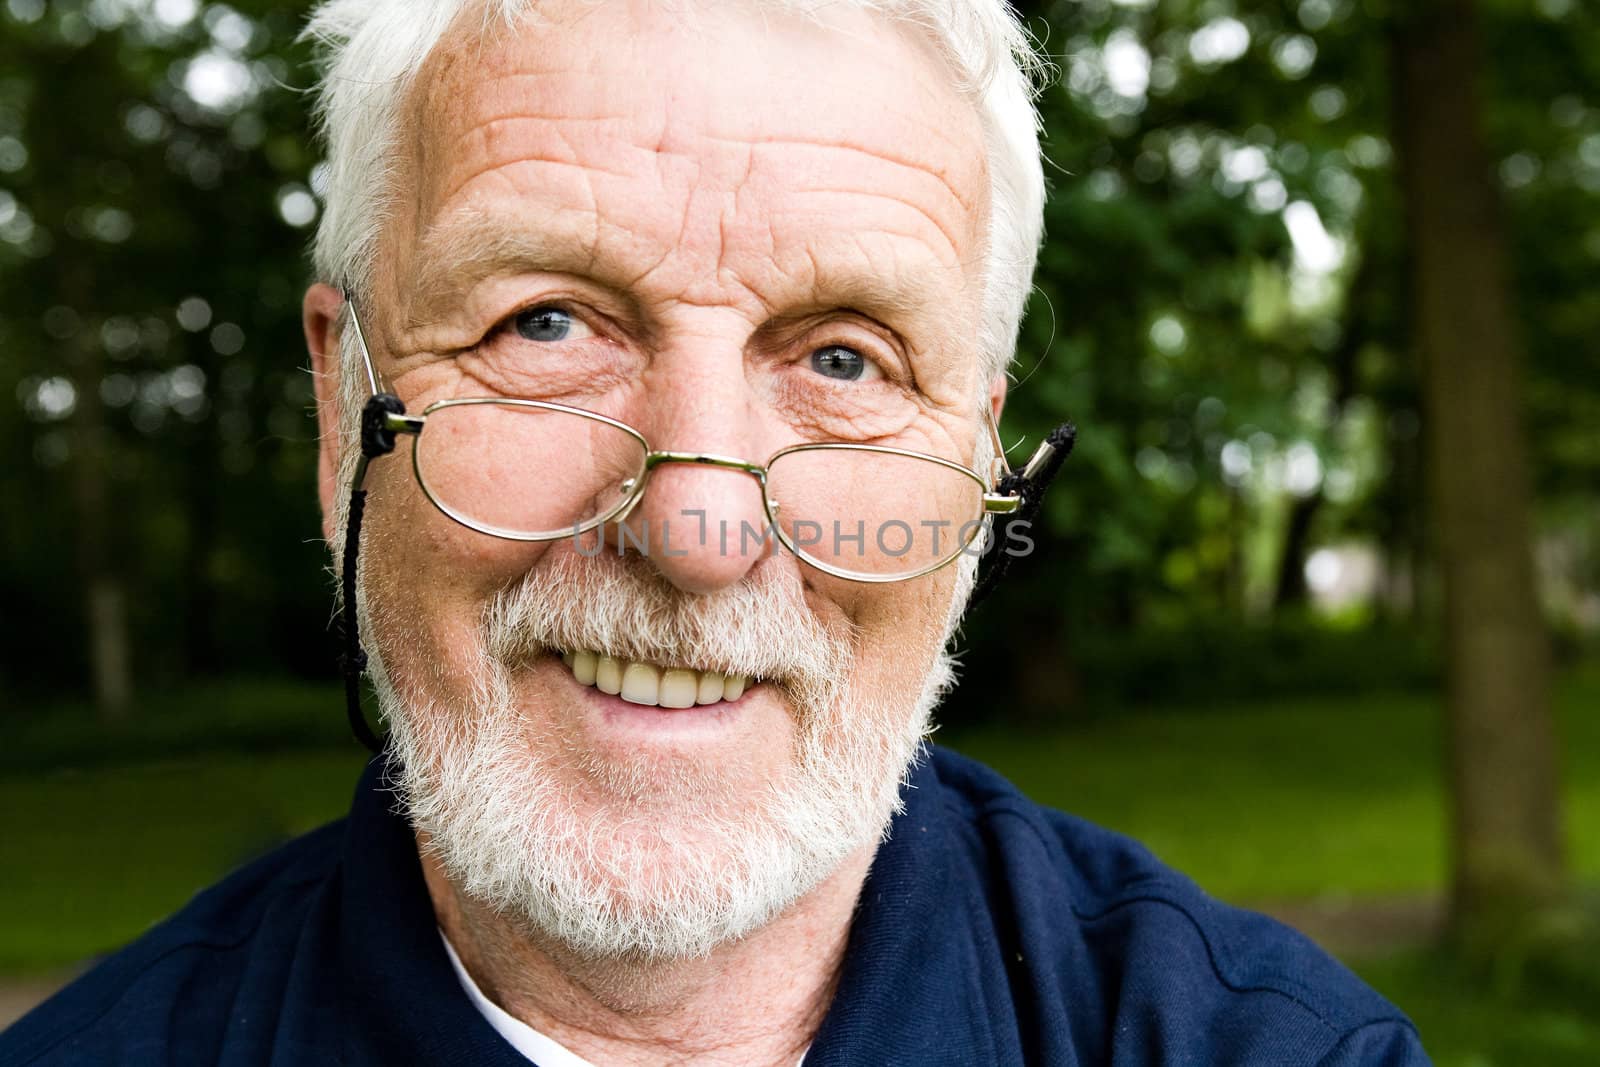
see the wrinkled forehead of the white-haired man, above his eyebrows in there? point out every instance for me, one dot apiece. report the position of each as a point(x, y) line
point(482, 103)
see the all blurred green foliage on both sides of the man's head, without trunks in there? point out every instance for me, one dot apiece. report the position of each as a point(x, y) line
point(1220, 306)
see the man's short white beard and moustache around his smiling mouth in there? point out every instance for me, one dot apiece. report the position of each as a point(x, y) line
point(658, 860)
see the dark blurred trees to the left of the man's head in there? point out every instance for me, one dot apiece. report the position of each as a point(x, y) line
point(156, 175)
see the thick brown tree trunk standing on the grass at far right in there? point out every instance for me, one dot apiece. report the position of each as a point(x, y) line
point(1500, 733)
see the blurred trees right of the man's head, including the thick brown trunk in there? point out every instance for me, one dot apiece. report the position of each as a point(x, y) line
point(1175, 114)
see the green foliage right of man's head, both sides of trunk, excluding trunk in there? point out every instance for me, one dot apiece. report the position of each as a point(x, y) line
point(1230, 367)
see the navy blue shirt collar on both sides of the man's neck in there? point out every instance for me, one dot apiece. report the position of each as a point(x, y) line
point(407, 1004)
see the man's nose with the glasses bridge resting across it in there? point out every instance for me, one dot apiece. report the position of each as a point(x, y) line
point(702, 524)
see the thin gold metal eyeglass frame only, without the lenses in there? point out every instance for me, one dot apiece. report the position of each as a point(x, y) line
point(994, 503)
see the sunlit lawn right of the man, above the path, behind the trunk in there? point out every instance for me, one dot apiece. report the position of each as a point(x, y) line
point(1290, 799)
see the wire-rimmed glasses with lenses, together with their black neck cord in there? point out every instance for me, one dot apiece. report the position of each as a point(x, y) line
point(817, 497)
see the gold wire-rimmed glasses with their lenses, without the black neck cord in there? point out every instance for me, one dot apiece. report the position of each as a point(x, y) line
point(543, 471)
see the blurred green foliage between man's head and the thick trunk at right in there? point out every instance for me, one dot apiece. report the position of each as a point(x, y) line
point(1210, 310)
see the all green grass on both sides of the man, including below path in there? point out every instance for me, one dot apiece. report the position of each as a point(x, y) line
point(1263, 802)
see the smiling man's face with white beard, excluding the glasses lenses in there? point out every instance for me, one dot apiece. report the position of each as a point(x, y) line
point(666, 218)
